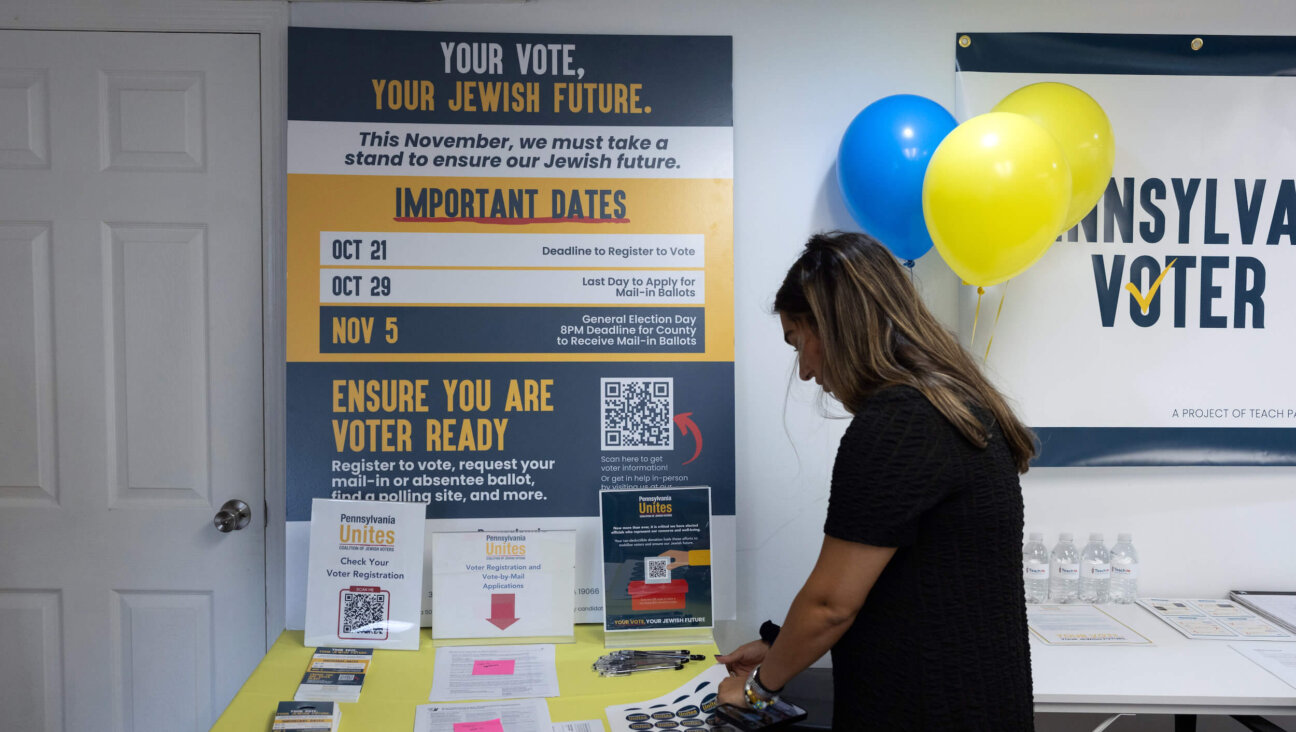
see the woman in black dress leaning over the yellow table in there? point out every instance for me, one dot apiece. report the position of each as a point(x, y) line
point(918, 589)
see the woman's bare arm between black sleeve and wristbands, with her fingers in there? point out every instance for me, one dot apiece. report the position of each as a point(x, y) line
point(821, 613)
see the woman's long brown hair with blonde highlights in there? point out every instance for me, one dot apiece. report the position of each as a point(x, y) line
point(878, 334)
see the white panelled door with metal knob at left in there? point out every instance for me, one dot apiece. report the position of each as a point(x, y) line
point(130, 378)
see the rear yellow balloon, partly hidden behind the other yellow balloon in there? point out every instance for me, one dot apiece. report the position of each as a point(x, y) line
point(1082, 129)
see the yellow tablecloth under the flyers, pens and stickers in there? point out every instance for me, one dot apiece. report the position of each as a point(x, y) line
point(400, 681)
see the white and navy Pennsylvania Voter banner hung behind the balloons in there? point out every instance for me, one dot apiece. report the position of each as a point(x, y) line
point(1162, 330)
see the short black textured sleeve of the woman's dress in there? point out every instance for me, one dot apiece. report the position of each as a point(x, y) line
point(890, 470)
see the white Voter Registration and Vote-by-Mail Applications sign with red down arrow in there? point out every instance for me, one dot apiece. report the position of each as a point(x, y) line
point(503, 584)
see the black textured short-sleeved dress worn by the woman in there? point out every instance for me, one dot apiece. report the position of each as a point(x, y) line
point(942, 641)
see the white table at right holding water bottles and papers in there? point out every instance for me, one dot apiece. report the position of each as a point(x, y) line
point(1176, 676)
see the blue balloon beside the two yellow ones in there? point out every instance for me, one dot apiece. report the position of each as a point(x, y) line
point(881, 168)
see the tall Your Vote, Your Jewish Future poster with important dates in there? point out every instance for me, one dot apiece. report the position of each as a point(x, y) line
point(510, 279)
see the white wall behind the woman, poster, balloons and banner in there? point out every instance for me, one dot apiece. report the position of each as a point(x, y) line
point(802, 72)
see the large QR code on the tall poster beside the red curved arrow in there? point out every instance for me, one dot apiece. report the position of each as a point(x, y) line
point(637, 414)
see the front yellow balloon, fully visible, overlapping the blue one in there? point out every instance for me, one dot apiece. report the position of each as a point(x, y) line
point(995, 196)
